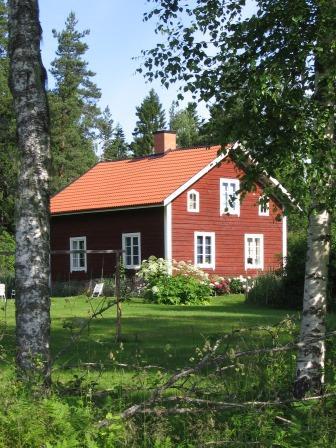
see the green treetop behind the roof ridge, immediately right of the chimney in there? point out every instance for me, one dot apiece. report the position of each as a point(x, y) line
point(186, 124)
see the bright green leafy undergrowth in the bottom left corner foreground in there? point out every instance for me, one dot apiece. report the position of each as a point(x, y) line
point(27, 420)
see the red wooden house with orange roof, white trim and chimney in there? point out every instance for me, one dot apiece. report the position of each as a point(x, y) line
point(176, 204)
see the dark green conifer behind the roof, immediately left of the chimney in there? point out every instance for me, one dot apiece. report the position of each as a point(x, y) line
point(151, 118)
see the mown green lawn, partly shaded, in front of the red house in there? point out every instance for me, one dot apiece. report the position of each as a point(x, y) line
point(153, 334)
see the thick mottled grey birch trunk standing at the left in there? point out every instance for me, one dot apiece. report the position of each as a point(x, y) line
point(27, 82)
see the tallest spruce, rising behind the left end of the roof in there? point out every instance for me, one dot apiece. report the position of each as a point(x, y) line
point(73, 104)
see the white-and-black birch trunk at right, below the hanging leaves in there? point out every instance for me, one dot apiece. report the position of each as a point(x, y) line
point(311, 356)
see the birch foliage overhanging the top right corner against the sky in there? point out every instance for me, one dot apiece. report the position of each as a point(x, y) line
point(270, 72)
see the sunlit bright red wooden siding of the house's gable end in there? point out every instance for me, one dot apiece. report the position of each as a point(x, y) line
point(229, 230)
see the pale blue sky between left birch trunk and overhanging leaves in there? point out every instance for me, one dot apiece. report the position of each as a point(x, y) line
point(117, 36)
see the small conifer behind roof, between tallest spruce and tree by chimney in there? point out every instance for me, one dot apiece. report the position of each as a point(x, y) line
point(113, 142)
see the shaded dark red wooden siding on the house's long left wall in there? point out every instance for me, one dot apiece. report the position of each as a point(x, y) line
point(104, 231)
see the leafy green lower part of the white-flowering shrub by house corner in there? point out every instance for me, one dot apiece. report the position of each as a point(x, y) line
point(178, 290)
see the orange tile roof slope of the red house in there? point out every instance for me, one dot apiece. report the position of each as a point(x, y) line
point(133, 182)
